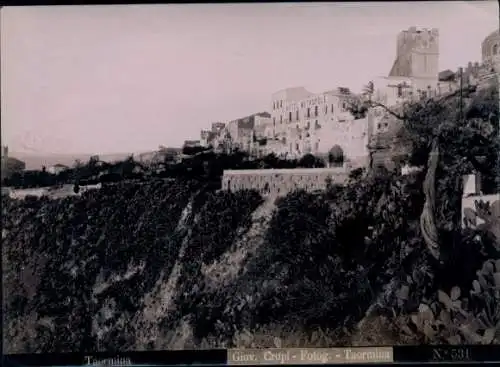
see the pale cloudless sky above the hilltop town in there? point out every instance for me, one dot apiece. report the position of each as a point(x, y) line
point(108, 79)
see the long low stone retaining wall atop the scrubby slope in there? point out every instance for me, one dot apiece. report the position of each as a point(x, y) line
point(279, 182)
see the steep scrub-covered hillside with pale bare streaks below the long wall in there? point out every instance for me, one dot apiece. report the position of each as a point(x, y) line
point(160, 265)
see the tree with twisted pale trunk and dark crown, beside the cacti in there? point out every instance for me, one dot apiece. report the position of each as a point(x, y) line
point(448, 142)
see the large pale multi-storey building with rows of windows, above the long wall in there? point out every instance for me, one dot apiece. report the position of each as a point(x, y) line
point(308, 123)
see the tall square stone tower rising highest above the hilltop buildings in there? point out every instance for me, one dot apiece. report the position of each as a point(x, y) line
point(417, 57)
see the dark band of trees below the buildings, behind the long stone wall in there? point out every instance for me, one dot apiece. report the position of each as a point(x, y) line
point(196, 163)
